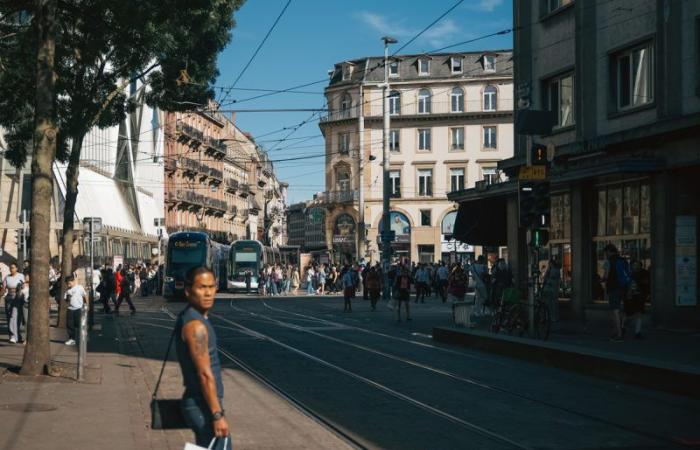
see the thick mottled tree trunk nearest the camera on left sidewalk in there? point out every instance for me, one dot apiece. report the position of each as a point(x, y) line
point(37, 353)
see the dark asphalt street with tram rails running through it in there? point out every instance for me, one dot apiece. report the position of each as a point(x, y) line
point(385, 384)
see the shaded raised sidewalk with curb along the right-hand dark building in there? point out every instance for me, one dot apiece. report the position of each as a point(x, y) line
point(664, 359)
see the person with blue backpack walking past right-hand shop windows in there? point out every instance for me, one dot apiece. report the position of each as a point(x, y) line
point(617, 279)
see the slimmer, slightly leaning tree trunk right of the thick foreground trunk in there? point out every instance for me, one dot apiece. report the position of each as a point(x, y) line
point(68, 222)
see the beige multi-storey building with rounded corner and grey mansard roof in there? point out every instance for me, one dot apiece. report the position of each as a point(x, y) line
point(451, 121)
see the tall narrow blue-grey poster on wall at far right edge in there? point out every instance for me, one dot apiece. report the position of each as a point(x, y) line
point(686, 261)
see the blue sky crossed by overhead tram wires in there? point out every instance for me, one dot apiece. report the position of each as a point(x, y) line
point(310, 38)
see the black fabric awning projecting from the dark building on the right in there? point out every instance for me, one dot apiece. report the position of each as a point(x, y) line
point(482, 221)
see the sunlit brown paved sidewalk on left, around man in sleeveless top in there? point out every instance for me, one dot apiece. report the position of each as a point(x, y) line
point(111, 409)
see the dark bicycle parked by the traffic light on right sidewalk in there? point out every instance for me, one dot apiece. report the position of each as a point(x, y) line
point(512, 315)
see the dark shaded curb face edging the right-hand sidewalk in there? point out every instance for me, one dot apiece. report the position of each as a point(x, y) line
point(676, 379)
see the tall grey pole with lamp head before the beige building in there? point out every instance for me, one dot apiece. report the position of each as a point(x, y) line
point(386, 186)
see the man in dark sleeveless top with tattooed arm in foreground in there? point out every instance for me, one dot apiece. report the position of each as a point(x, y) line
point(198, 357)
